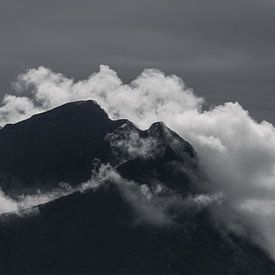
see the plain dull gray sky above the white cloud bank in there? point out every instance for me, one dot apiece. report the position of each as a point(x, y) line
point(225, 50)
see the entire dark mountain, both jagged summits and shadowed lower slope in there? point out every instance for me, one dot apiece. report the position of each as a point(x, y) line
point(115, 228)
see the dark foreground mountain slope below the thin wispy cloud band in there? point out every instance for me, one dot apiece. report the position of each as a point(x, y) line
point(94, 233)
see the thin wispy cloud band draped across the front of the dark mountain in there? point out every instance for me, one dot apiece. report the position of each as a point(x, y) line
point(156, 204)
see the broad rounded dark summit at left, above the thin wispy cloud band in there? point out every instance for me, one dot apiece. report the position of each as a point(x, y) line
point(58, 145)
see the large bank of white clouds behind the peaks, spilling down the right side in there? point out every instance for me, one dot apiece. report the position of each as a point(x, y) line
point(236, 152)
